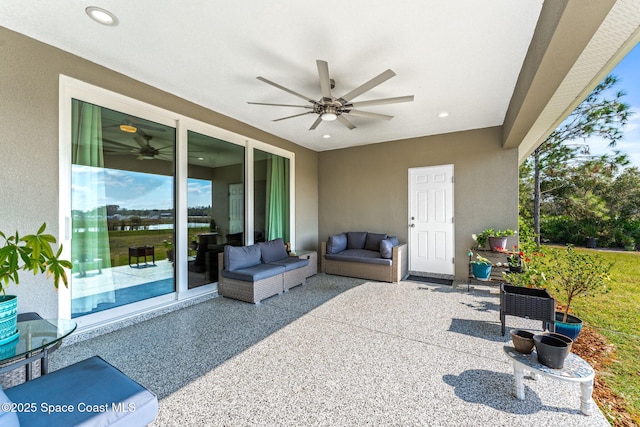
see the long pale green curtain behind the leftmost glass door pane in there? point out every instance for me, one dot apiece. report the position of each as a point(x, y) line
point(90, 250)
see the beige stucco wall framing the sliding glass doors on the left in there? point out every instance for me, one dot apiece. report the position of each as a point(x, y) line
point(29, 80)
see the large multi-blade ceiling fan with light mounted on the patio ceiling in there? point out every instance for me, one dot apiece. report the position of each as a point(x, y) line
point(329, 108)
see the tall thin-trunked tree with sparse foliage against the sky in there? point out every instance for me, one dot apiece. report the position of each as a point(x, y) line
point(564, 154)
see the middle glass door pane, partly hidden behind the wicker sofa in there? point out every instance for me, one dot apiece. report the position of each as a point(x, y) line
point(215, 203)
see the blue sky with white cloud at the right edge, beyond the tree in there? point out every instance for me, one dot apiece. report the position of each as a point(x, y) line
point(628, 73)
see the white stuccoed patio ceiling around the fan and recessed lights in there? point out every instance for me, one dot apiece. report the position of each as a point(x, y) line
point(461, 56)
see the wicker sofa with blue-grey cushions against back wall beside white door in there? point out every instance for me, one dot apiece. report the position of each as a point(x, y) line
point(374, 256)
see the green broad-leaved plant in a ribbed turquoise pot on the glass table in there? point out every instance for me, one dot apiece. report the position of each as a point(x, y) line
point(32, 253)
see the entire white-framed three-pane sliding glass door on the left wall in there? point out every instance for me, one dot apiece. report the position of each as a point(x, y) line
point(150, 198)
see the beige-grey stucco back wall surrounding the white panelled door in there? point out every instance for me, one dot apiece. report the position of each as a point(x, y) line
point(366, 188)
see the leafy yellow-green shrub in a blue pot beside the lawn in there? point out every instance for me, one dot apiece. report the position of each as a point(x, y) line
point(575, 275)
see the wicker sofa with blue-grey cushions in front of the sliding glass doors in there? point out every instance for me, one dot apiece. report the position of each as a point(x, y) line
point(253, 273)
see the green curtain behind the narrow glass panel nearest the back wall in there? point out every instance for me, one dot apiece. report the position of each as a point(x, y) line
point(277, 215)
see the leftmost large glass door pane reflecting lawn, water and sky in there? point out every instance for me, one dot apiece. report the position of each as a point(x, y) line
point(122, 201)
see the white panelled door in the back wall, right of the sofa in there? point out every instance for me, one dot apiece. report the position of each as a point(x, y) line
point(431, 237)
